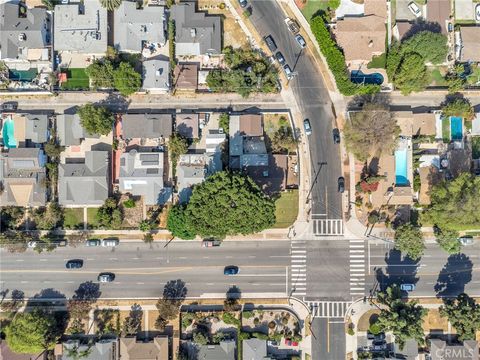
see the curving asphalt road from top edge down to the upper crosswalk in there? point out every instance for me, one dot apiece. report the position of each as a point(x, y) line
point(315, 104)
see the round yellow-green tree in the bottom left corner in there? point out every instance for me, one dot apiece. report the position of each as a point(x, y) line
point(31, 332)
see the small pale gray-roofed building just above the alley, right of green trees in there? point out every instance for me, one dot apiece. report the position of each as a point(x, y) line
point(156, 74)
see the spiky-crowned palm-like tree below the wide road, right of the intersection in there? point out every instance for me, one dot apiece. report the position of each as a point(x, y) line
point(403, 319)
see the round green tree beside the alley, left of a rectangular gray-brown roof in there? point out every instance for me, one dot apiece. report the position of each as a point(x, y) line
point(96, 119)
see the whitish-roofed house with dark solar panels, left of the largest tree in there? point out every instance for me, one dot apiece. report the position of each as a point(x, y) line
point(141, 174)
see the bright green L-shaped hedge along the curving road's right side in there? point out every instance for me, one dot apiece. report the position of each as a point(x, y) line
point(336, 60)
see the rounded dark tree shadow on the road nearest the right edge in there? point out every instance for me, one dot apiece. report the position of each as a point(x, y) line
point(456, 273)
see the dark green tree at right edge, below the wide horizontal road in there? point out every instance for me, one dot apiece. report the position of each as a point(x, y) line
point(464, 314)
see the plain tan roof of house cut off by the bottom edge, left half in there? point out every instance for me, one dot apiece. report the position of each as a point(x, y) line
point(131, 349)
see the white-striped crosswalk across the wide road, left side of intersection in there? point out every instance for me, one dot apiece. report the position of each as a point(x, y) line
point(298, 268)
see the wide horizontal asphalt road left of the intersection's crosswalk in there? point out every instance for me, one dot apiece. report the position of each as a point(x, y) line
point(142, 271)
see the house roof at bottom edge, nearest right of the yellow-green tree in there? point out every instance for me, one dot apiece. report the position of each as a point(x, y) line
point(100, 350)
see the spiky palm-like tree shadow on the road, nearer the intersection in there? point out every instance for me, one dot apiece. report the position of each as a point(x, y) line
point(399, 270)
